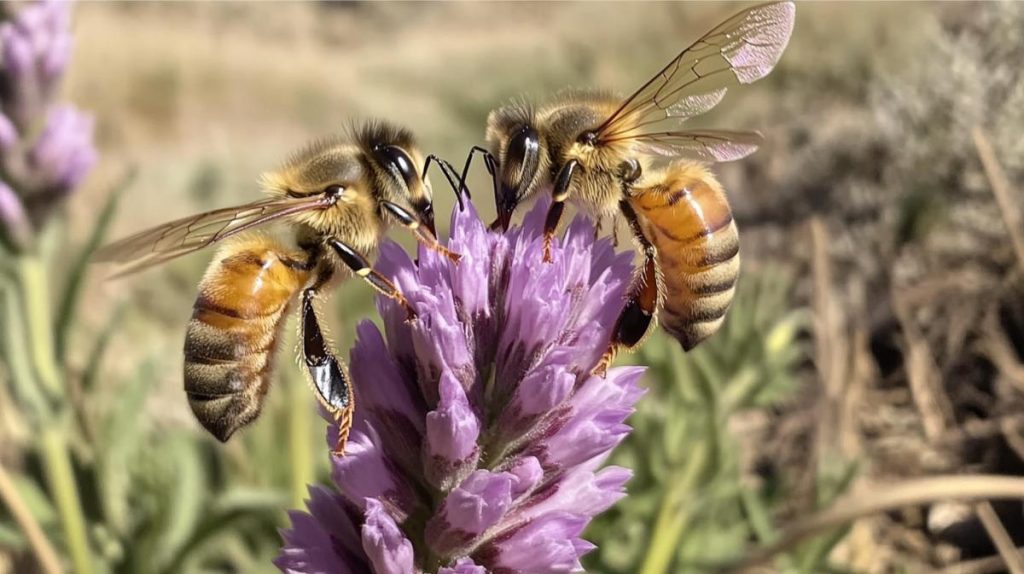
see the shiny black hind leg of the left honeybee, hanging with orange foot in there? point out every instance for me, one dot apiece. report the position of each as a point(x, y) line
point(330, 378)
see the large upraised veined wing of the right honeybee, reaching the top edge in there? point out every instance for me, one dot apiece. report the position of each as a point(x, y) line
point(741, 51)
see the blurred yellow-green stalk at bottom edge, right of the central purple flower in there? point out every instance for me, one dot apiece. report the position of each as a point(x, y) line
point(674, 518)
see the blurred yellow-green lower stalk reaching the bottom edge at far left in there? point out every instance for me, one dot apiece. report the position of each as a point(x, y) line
point(61, 479)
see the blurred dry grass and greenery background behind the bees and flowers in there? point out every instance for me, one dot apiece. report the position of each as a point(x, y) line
point(878, 336)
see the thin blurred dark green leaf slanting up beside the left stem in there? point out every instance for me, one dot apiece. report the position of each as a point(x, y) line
point(68, 311)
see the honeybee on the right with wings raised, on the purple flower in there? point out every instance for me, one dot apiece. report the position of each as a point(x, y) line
point(598, 152)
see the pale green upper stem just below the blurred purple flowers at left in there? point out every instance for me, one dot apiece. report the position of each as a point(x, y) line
point(35, 299)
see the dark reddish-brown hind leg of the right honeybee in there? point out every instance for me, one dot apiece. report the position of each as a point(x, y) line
point(635, 320)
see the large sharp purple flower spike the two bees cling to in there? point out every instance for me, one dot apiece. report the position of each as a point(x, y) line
point(481, 430)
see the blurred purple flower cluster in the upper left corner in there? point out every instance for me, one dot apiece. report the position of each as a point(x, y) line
point(46, 149)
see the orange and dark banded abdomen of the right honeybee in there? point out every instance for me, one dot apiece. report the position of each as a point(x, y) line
point(688, 218)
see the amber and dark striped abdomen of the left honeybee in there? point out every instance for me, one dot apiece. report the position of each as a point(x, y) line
point(233, 335)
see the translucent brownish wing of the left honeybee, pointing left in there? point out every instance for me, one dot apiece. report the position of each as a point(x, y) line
point(189, 235)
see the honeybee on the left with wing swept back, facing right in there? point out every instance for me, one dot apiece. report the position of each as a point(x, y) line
point(334, 201)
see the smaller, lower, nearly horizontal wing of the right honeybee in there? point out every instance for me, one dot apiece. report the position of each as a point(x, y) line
point(706, 146)
